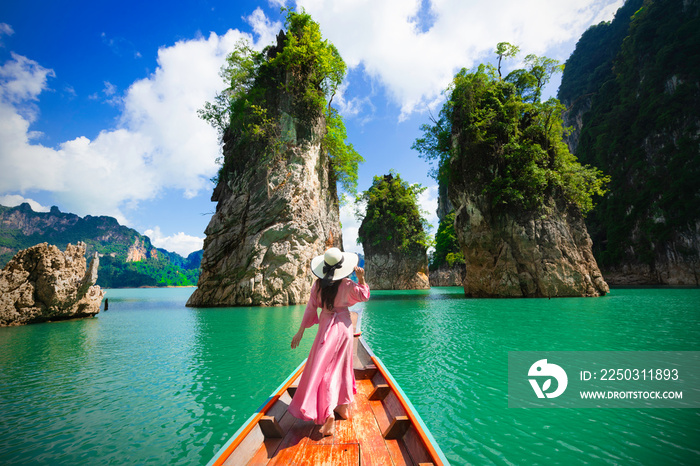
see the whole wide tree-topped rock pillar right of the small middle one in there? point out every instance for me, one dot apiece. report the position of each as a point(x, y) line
point(518, 193)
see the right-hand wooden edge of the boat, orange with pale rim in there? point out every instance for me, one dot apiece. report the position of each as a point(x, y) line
point(422, 431)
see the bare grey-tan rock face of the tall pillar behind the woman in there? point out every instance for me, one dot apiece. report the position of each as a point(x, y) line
point(271, 218)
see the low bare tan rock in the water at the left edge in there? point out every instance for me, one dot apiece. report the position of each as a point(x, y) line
point(42, 283)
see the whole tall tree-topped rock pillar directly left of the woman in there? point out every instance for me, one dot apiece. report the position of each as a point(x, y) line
point(284, 153)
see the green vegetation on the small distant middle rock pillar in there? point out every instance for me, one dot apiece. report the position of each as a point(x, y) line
point(392, 221)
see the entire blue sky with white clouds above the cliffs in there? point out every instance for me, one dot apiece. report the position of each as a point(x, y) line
point(98, 100)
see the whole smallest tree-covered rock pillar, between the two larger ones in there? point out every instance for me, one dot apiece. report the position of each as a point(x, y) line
point(393, 235)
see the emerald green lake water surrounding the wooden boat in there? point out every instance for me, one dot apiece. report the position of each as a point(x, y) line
point(153, 382)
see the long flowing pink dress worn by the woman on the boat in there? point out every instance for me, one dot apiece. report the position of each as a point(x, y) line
point(328, 379)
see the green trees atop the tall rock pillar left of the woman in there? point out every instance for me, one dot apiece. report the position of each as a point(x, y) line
point(249, 114)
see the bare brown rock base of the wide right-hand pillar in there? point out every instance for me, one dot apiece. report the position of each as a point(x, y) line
point(525, 254)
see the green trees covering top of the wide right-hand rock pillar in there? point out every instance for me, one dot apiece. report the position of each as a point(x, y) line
point(514, 142)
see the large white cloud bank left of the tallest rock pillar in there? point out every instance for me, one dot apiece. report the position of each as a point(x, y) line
point(159, 142)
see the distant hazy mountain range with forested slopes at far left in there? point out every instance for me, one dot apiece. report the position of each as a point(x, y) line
point(127, 258)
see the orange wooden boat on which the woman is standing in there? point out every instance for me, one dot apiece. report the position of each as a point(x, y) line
point(383, 427)
